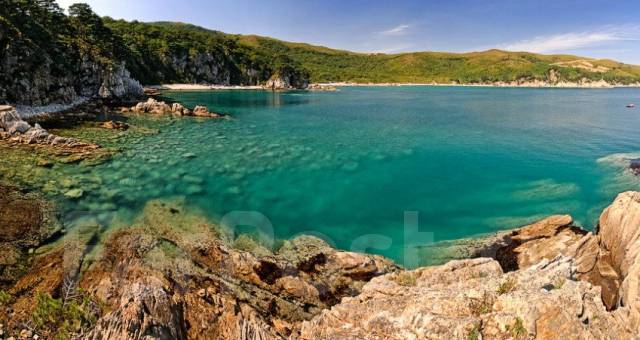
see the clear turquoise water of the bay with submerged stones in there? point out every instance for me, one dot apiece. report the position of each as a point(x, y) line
point(350, 163)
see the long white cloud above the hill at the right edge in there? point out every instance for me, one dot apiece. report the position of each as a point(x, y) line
point(574, 40)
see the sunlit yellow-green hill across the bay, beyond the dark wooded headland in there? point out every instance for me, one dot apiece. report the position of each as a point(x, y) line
point(327, 65)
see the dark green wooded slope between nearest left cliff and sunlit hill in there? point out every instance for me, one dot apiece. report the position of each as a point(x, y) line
point(175, 52)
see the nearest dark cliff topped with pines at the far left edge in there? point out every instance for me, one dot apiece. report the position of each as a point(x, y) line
point(47, 57)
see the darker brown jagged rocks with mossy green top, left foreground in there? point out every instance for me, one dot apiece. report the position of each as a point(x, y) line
point(173, 275)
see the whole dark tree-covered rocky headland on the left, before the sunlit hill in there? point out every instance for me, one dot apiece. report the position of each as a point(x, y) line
point(49, 57)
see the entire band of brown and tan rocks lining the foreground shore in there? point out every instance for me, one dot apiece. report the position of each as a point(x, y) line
point(172, 274)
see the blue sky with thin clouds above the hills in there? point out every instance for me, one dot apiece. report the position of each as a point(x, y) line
point(593, 28)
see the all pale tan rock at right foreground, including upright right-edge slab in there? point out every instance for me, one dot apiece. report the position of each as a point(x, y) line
point(549, 280)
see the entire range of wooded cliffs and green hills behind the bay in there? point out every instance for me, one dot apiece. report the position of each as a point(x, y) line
point(47, 55)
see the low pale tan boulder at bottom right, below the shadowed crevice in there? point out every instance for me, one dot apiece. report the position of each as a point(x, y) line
point(472, 299)
